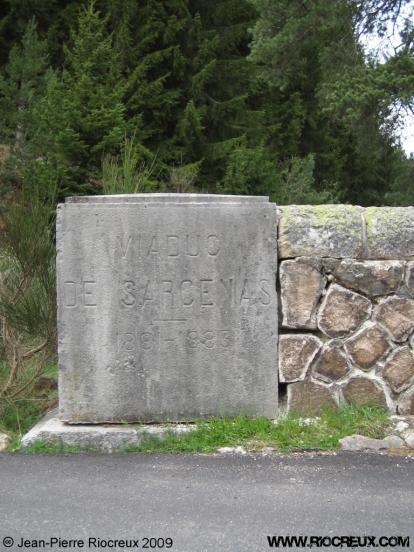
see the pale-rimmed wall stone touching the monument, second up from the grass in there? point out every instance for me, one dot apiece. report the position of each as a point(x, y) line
point(296, 352)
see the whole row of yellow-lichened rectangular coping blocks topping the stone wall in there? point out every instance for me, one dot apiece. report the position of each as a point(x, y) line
point(346, 231)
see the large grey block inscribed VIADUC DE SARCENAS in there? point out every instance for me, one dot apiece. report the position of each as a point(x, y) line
point(167, 308)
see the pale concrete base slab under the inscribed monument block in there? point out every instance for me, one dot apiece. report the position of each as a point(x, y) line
point(106, 438)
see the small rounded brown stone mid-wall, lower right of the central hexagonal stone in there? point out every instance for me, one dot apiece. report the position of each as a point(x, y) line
point(368, 346)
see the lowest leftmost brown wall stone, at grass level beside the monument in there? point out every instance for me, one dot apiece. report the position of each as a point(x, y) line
point(309, 398)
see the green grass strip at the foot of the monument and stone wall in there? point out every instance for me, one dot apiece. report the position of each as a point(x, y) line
point(289, 434)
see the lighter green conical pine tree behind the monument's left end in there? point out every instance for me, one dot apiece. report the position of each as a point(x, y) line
point(82, 117)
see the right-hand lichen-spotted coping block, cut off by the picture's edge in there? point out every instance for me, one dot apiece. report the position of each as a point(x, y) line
point(390, 232)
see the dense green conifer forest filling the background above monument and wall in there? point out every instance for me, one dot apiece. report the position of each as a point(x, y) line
point(262, 97)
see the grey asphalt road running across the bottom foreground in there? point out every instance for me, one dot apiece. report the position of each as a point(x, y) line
point(217, 503)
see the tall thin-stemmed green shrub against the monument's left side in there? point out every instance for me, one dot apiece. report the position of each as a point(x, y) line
point(27, 289)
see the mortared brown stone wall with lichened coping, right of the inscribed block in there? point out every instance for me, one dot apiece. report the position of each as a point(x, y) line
point(346, 324)
